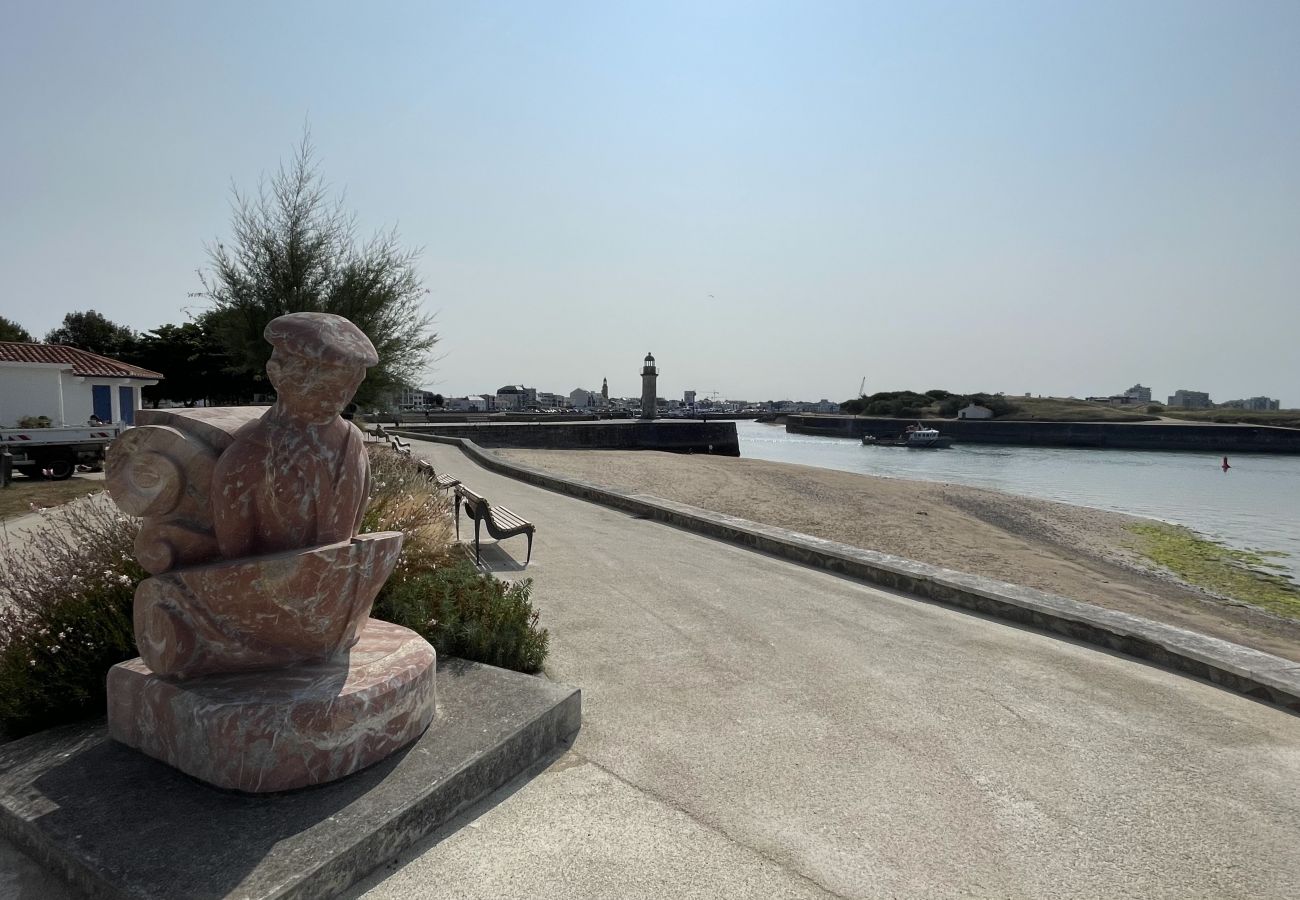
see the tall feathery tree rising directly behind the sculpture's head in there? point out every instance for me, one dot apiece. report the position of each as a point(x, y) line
point(294, 250)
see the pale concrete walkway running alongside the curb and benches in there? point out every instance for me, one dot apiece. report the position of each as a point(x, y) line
point(757, 729)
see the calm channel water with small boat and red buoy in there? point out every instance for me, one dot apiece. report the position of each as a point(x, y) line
point(1256, 505)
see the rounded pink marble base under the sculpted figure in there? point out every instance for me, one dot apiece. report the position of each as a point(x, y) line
point(283, 729)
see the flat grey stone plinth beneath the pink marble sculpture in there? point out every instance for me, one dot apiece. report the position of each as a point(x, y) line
point(118, 824)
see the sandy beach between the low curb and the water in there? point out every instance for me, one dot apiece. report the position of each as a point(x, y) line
point(1072, 551)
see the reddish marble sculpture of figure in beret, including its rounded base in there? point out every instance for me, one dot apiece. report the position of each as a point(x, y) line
point(261, 668)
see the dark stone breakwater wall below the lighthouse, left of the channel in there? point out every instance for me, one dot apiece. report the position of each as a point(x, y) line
point(674, 436)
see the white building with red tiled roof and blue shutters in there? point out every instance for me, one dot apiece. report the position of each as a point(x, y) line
point(68, 386)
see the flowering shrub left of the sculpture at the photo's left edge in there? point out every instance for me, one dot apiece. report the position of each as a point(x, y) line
point(66, 615)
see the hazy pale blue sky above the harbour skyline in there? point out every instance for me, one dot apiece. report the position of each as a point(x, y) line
point(777, 200)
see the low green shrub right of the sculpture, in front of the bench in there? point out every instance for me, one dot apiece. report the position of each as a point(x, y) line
point(471, 616)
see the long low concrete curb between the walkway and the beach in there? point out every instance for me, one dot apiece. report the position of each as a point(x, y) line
point(1236, 668)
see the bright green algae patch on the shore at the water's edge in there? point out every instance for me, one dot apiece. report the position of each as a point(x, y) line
point(1238, 576)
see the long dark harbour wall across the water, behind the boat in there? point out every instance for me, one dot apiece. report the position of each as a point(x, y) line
point(1097, 435)
